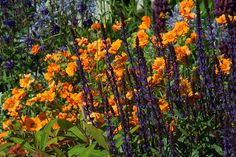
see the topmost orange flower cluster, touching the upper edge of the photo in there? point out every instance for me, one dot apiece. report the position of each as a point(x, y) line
point(185, 9)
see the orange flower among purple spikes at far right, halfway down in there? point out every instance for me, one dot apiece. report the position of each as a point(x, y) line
point(224, 64)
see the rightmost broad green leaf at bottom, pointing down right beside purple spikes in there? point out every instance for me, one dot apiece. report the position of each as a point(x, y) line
point(97, 134)
